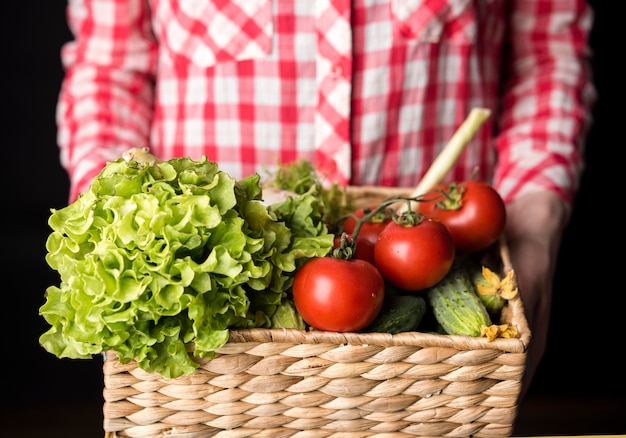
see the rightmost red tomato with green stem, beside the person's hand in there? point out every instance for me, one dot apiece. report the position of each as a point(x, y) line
point(473, 211)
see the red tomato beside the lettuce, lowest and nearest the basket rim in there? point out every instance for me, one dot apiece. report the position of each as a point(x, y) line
point(338, 295)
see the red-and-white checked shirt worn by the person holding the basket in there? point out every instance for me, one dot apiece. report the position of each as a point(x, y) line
point(369, 90)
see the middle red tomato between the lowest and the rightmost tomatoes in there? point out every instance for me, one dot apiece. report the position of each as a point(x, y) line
point(414, 257)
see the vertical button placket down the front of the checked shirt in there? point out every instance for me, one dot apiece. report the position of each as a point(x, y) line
point(334, 72)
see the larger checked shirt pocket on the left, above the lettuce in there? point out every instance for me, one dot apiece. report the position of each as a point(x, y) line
point(207, 32)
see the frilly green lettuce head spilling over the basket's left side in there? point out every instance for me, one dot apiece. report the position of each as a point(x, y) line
point(160, 261)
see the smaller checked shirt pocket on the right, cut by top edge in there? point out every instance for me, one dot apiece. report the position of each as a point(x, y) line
point(435, 21)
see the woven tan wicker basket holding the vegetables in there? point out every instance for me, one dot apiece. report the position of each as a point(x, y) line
point(290, 383)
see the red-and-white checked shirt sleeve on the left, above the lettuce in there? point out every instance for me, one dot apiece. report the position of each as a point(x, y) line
point(105, 102)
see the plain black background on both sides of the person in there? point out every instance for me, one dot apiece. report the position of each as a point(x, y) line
point(586, 342)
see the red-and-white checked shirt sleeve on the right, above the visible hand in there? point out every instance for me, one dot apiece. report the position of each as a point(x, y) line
point(548, 95)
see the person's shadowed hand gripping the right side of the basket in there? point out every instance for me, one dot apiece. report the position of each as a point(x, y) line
point(533, 231)
